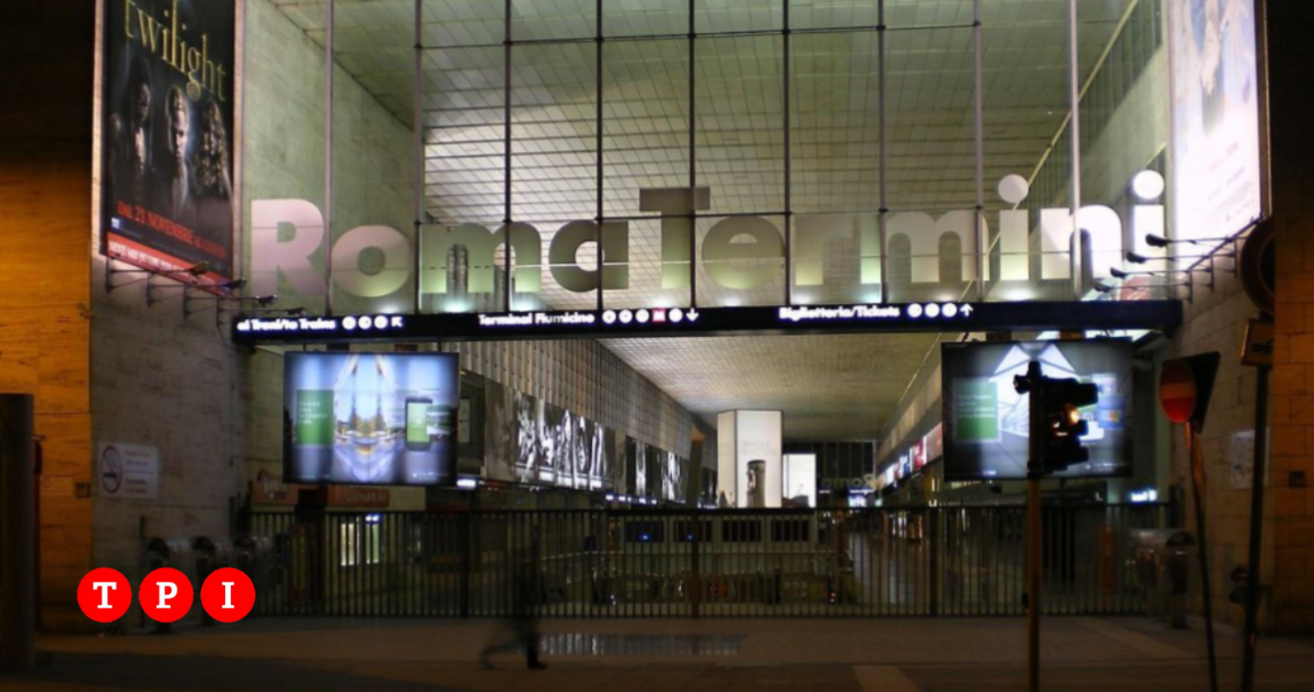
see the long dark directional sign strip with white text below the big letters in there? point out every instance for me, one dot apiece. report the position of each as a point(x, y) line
point(655, 322)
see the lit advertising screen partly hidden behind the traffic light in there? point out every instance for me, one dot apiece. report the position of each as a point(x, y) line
point(986, 422)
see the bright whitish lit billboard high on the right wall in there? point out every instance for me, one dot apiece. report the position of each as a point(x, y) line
point(1216, 179)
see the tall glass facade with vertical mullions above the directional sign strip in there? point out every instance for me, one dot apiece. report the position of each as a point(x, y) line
point(727, 154)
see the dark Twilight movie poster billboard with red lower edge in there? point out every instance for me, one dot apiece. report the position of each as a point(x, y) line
point(168, 135)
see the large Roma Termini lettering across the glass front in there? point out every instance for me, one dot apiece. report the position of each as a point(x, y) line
point(288, 244)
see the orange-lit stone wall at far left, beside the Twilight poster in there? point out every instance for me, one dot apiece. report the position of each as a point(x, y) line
point(45, 283)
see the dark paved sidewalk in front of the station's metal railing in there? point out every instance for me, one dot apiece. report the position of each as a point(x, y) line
point(652, 656)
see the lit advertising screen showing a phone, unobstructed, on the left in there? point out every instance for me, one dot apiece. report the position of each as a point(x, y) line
point(371, 418)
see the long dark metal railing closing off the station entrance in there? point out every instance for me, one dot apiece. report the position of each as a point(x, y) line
point(936, 561)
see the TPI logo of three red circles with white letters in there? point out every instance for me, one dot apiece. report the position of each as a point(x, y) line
point(166, 595)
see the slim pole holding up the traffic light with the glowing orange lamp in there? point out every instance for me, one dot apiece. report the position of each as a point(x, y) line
point(1035, 469)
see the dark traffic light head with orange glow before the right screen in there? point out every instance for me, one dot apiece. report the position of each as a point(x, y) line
point(1057, 412)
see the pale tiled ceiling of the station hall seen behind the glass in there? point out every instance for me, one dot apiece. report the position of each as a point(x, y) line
point(830, 388)
